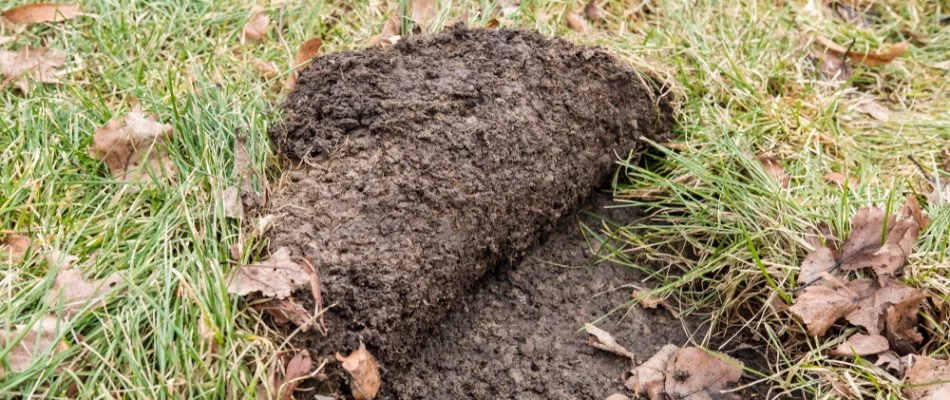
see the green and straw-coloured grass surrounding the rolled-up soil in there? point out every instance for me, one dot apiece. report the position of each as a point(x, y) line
point(730, 238)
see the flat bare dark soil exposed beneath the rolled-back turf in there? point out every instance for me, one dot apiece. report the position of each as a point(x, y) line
point(516, 336)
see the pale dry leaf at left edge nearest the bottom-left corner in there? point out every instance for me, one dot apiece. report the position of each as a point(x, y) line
point(38, 342)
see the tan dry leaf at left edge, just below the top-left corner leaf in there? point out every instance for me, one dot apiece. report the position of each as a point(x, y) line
point(29, 64)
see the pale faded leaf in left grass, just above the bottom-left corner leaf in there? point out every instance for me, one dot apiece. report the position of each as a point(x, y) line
point(71, 293)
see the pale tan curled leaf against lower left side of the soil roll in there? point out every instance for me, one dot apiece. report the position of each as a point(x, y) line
point(276, 277)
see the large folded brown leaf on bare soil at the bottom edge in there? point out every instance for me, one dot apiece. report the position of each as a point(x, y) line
point(685, 373)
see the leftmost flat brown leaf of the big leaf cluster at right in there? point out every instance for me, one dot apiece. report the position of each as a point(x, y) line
point(820, 306)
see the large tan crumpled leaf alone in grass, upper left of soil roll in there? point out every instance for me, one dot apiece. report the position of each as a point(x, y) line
point(133, 146)
